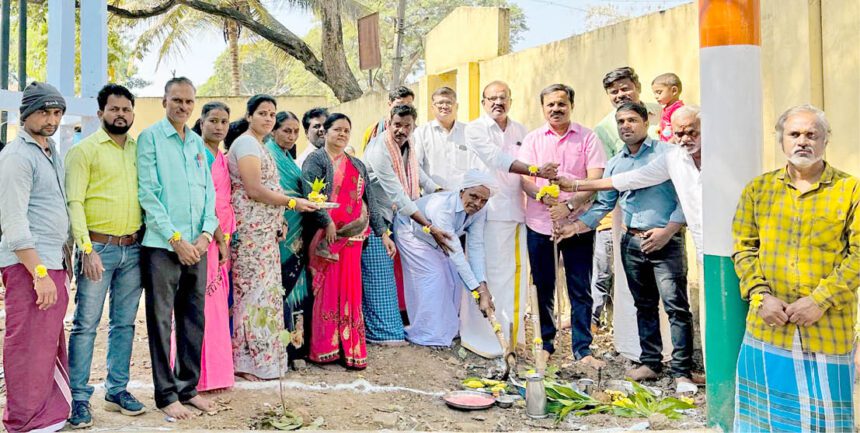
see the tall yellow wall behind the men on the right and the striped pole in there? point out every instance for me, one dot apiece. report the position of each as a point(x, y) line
point(810, 54)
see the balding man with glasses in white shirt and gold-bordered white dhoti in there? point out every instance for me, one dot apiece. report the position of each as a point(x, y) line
point(496, 139)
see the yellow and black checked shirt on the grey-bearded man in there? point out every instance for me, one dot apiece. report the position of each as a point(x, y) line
point(793, 245)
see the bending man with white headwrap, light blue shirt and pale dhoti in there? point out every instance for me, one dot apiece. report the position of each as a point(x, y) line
point(432, 279)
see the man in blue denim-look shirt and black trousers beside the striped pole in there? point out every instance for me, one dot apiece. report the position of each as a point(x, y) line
point(652, 249)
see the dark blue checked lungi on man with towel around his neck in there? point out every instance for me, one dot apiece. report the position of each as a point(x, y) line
point(382, 319)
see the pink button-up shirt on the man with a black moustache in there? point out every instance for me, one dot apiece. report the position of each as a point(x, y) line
point(576, 151)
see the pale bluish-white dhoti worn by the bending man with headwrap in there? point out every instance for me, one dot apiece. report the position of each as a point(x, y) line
point(432, 289)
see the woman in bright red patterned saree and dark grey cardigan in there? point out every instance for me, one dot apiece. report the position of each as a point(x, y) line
point(337, 324)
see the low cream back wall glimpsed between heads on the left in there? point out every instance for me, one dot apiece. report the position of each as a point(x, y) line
point(149, 110)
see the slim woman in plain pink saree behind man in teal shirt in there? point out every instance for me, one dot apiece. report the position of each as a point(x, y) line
point(216, 366)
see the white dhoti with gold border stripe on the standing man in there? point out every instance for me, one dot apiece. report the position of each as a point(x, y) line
point(507, 279)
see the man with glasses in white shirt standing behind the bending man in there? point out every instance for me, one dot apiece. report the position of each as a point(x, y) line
point(441, 144)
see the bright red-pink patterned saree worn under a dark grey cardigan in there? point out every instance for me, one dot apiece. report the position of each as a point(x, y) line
point(337, 327)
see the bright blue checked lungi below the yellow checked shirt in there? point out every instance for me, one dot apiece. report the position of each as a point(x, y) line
point(781, 390)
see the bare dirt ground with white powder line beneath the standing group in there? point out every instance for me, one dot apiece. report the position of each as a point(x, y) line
point(425, 372)
